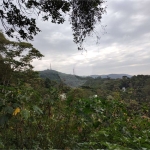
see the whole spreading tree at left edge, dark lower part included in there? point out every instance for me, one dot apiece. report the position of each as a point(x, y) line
point(15, 61)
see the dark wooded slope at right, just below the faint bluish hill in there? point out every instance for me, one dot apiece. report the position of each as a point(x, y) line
point(134, 88)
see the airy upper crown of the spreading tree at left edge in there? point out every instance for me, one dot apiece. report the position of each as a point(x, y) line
point(18, 55)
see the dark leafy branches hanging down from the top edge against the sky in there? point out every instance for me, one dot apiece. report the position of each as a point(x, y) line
point(17, 16)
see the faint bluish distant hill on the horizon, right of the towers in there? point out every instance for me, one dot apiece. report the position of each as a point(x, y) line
point(112, 76)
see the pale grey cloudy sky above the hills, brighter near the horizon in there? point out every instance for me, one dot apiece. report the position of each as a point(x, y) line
point(125, 48)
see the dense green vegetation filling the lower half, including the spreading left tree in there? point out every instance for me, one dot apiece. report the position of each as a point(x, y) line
point(33, 115)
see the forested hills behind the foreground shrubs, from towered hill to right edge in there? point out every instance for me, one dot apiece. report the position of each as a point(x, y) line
point(131, 88)
